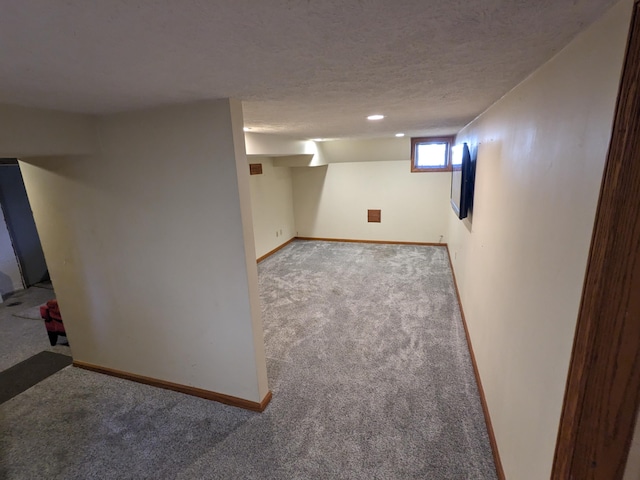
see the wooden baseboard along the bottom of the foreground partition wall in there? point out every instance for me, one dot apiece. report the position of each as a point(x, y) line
point(176, 387)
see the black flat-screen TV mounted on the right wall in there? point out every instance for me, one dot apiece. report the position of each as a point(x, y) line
point(462, 179)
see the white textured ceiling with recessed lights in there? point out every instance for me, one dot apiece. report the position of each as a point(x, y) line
point(302, 68)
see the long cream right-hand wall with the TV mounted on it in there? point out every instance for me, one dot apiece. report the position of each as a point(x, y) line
point(520, 265)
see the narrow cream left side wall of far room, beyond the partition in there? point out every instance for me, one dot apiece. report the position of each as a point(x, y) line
point(272, 206)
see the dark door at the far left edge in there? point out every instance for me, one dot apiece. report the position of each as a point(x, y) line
point(22, 228)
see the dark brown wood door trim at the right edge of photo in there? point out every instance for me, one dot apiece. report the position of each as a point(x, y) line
point(602, 395)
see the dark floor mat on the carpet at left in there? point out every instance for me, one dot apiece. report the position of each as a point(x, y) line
point(27, 373)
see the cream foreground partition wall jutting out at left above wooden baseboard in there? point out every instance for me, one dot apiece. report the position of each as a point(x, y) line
point(146, 248)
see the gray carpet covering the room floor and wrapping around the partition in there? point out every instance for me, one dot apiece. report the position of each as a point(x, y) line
point(367, 362)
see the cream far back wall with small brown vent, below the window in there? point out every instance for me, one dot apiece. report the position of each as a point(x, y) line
point(332, 202)
